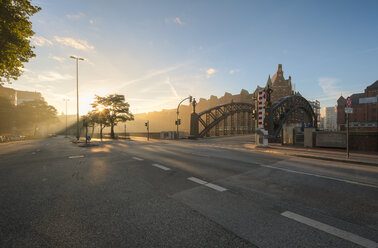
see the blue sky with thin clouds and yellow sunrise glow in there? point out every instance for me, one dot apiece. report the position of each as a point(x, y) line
point(159, 52)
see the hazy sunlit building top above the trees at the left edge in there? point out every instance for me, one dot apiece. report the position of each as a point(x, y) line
point(17, 97)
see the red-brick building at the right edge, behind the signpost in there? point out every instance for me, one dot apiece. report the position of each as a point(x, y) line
point(365, 116)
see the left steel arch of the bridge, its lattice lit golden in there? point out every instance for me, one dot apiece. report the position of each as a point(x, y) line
point(226, 119)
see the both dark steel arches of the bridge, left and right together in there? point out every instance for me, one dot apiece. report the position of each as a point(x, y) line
point(237, 117)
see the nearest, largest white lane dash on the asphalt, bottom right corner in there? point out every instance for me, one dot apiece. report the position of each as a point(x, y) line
point(331, 230)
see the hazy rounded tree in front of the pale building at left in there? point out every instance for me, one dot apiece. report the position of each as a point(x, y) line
point(34, 113)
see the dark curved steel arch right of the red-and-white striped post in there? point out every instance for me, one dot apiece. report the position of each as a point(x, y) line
point(284, 108)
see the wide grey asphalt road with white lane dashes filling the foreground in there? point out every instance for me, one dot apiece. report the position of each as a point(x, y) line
point(204, 193)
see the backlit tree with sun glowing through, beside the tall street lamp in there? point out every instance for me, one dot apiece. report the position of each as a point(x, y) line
point(113, 109)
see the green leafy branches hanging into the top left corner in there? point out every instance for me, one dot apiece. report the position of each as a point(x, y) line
point(15, 33)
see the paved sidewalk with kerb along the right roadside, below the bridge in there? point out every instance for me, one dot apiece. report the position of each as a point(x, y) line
point(324, 154)
